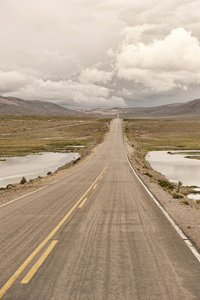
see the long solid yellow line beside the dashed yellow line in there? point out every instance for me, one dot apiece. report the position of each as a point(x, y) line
point(10, 281)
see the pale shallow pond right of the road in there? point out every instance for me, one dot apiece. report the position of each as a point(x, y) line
point(176, 167)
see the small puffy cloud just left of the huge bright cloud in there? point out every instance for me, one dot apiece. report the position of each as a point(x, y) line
point(93, 75)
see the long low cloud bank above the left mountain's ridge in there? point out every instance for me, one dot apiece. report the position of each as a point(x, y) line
point(70, 93)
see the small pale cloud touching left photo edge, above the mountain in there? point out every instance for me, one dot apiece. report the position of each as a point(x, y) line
point(12, 81)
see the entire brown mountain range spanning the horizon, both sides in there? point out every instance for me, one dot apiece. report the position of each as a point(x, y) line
point(190, 109)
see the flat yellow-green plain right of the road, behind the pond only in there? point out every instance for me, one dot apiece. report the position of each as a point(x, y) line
point(152, 135)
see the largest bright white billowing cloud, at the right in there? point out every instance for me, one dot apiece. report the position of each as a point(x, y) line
point(163, 64)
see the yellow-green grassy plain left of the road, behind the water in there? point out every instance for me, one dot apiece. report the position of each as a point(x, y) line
point(25, 134)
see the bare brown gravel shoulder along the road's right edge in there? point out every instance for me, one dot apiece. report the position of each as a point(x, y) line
point(186, 216)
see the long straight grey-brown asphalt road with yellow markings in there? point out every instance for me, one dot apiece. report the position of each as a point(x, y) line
point(95, 234)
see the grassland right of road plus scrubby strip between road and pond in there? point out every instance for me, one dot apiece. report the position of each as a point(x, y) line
point(152, 135)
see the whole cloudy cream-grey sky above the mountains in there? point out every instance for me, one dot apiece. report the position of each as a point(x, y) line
point(100, 53)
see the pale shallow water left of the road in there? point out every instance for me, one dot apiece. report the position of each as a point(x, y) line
point(31, 166)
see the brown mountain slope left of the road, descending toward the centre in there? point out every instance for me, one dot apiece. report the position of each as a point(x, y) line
point(12, 105)
